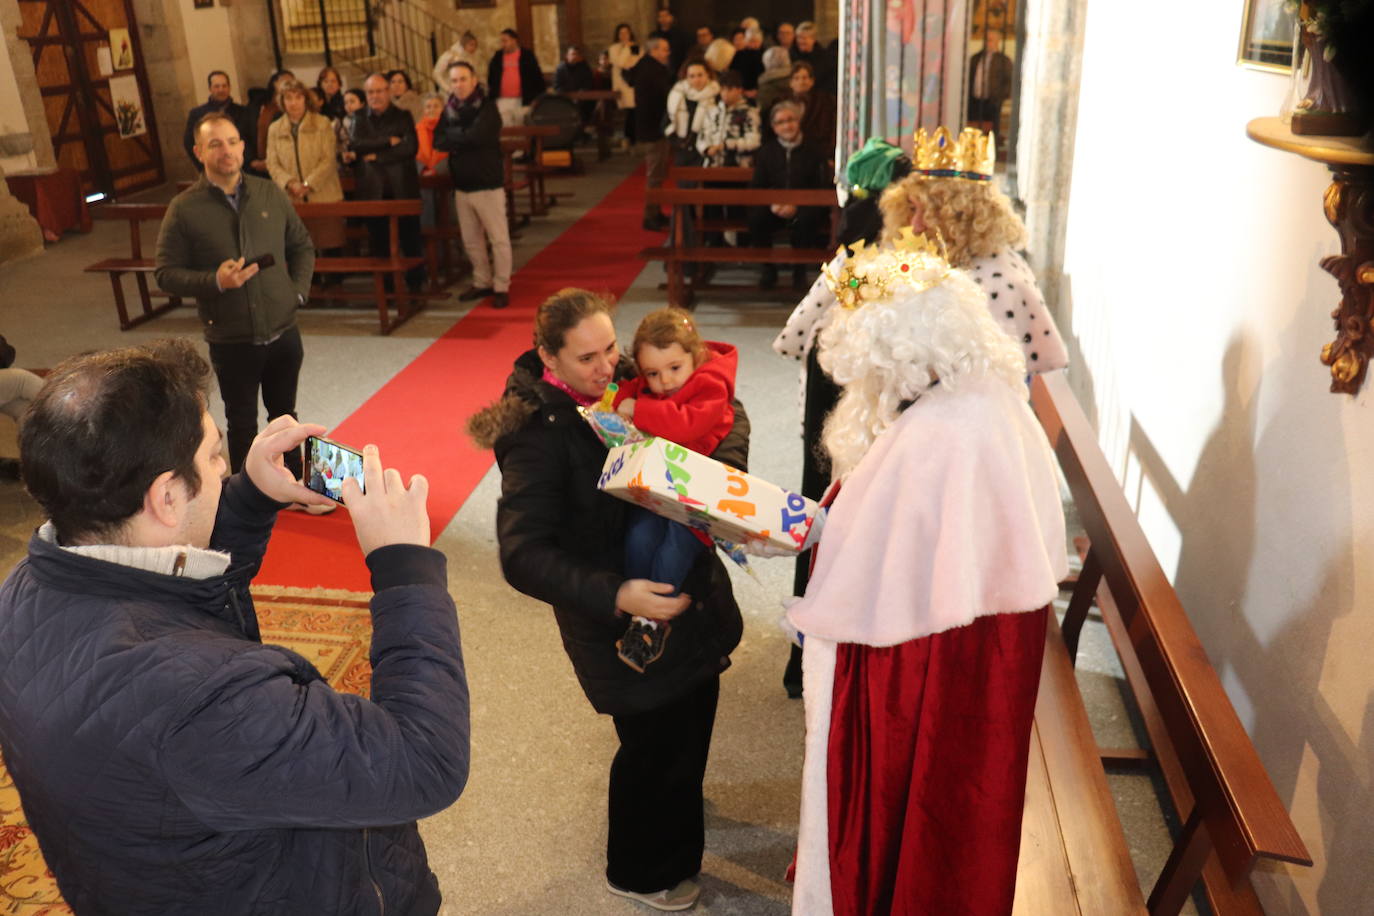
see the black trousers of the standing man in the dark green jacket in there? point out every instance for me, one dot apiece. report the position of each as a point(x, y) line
point(244, 369)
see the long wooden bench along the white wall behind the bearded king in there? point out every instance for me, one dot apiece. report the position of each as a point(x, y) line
point(1074, 852)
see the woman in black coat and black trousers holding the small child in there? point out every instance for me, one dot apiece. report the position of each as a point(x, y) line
point(563, 542)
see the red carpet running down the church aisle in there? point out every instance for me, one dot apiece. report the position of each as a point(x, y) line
point(418, 418)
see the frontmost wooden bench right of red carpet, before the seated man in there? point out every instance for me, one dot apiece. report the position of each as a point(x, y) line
point(677, 255)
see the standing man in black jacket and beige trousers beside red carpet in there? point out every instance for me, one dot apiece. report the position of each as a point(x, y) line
point(471, 133)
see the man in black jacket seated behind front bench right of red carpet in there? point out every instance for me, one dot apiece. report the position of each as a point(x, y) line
point(787, 161)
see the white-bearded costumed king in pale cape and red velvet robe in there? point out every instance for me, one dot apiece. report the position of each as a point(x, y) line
point(927, 613)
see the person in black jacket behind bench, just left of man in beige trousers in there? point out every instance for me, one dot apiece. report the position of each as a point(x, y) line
point(384, 139)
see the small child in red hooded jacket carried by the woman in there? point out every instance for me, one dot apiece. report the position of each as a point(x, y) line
point(684, 395)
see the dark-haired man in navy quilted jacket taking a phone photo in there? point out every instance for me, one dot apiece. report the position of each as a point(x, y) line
point(168, 762)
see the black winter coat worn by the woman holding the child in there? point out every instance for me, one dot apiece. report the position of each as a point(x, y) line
point(563, 542)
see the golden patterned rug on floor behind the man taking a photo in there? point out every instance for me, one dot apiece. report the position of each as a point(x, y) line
point(332, 628)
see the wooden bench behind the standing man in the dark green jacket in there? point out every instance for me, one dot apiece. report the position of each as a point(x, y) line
point(383, 270)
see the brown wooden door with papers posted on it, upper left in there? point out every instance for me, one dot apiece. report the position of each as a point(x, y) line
point(95, 91)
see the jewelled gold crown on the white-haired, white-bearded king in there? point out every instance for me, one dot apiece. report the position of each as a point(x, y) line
point(913, 264)
